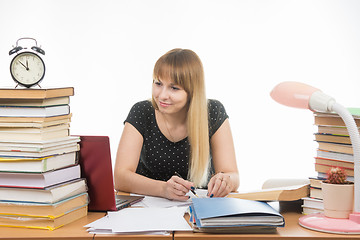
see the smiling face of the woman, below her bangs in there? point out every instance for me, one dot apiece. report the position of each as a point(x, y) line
point(170, 98)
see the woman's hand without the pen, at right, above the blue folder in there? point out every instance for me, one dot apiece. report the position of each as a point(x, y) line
point(219, 185)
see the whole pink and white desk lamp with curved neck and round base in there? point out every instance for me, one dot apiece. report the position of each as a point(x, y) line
point(300, 95)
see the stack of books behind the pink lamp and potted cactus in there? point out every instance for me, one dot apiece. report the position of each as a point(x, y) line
point(334, 149)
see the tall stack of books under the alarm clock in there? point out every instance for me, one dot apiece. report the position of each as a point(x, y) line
point(40, 179)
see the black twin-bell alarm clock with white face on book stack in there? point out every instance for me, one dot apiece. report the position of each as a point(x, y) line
point(27, 67)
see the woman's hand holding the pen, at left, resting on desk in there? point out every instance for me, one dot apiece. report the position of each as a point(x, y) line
point(176, 188)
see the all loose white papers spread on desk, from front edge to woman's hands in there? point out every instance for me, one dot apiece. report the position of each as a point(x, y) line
point(152, 215)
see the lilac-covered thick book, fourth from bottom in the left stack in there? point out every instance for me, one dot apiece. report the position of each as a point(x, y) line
point(39, 180)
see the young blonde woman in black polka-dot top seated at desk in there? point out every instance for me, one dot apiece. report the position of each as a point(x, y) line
point(179, 140)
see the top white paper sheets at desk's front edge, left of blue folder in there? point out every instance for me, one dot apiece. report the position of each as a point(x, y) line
point(141, 221)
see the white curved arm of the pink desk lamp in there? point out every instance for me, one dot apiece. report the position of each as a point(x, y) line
point(355, 141)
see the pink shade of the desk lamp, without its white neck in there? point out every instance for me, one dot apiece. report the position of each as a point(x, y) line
point(293, 94)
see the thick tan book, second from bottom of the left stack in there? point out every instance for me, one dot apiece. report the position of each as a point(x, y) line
point(52, 210)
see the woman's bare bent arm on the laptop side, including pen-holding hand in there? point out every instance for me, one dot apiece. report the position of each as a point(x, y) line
point(126, 178)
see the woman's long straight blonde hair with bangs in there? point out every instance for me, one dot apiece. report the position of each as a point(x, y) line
point(185, 69)
